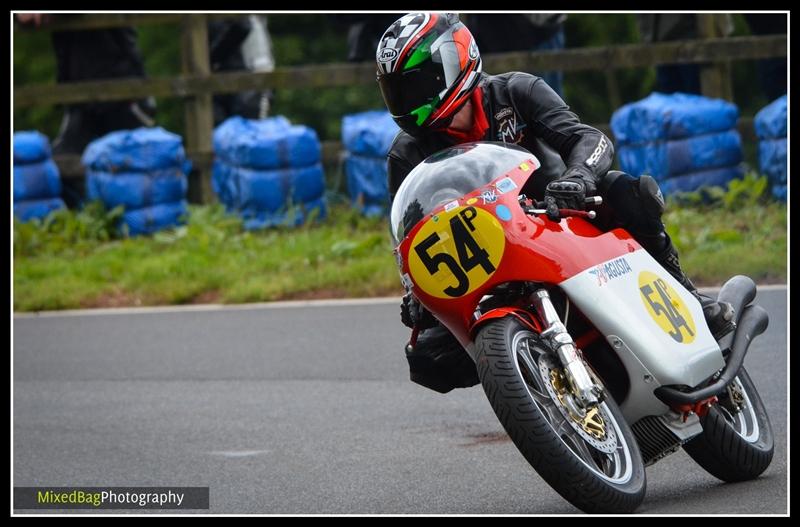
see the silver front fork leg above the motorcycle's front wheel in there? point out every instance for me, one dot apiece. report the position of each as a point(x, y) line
point(587, 392)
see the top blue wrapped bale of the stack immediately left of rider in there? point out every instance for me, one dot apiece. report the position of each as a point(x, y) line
point(369, 133)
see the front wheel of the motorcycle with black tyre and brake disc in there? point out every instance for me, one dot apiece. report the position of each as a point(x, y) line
point(592, 460)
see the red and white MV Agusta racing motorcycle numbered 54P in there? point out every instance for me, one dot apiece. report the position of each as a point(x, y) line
point(596, 361)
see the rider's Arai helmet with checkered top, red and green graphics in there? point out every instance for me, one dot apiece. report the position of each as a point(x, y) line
point(428, 65)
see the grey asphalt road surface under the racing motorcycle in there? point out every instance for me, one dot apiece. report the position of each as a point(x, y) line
point(299, 410)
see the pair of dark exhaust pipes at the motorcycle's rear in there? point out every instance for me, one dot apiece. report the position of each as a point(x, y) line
point(751, 322)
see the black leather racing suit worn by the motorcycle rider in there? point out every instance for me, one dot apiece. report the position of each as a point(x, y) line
point(522, 109)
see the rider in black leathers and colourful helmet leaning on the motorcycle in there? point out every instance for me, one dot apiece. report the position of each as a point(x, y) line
point(429, 72)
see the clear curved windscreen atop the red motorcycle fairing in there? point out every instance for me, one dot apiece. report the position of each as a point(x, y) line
point(448, 175)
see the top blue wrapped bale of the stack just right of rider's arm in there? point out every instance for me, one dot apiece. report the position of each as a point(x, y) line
point(671, 116)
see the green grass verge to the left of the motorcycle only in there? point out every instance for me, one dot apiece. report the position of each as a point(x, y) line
point(59, 265)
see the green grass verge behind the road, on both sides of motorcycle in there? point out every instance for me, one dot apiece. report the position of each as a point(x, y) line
point(76, 259)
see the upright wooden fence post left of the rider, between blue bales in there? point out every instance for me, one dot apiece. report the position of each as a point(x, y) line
point(199, 110)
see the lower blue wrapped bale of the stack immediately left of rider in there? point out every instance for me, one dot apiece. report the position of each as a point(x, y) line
point(367, 183)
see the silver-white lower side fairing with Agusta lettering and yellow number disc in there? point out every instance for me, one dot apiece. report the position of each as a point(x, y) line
point(634, 299)
